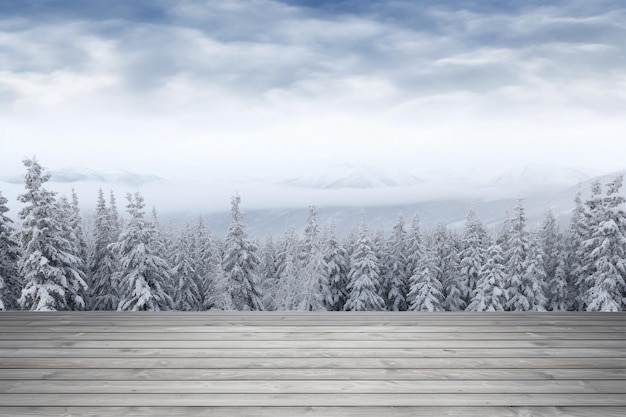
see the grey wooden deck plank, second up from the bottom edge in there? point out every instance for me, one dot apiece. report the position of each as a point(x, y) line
point(314, 400)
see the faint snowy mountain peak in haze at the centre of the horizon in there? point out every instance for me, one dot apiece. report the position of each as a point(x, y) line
point(354, 176)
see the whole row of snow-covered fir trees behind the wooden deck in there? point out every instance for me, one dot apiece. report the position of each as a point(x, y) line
point(52, 259)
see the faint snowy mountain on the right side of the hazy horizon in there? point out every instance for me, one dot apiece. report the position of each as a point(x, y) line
point(540, 176)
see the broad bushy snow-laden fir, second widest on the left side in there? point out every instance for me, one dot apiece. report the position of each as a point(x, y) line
point(142, 275)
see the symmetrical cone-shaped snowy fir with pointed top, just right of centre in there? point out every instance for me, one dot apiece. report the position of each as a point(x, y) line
point(363, 277)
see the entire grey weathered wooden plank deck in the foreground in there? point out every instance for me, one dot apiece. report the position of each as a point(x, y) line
point(312, 364)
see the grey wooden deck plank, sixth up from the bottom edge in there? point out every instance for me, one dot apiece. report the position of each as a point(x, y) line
point(256, 352)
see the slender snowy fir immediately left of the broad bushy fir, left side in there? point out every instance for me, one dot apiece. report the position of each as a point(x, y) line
point(103, 264)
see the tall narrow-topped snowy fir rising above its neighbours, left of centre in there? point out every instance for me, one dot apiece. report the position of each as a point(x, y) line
point(241, 263)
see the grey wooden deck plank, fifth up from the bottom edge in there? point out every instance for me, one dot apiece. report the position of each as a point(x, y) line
point(298, 363)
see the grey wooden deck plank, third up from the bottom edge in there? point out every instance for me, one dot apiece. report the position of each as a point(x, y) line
point(314, 387)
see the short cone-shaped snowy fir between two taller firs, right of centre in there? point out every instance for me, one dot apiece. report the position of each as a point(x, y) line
point(489, 293)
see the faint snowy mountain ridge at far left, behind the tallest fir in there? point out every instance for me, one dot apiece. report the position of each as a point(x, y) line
point(78, 174)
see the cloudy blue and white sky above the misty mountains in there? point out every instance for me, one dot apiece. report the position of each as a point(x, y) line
point(258, 87)
